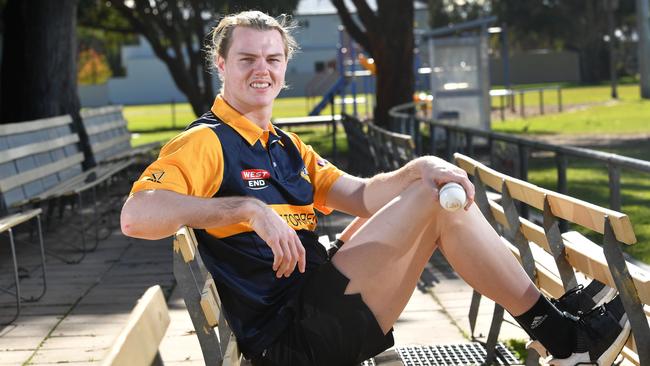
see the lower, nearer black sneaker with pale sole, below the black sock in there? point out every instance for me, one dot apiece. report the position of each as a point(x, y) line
point(600, 336)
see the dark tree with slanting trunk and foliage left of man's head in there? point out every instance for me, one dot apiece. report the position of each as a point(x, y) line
point(176, 30)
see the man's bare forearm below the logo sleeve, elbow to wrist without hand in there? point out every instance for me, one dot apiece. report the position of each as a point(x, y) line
point(159, 213)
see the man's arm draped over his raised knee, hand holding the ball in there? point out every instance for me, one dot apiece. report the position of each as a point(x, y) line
point(363, 197)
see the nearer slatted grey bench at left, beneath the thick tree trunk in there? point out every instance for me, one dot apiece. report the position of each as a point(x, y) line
point(41, 163)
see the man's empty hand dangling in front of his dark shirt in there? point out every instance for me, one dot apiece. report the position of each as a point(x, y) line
point(282, 239)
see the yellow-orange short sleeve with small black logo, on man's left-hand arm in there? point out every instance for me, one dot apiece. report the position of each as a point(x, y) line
point(191, 164)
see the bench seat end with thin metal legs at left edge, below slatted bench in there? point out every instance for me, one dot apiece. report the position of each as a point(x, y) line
point(7, 224)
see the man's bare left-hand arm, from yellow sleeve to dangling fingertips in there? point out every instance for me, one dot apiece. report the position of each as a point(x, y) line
point(156, 214)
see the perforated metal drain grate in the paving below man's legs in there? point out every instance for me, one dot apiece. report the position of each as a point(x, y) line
point(450, 355)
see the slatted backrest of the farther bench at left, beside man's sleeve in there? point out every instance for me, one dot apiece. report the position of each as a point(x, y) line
point(107, 132)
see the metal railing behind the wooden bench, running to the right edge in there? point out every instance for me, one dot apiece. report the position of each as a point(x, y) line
point(450, 138)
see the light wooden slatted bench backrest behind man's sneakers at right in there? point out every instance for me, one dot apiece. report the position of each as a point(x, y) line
point(554, 259)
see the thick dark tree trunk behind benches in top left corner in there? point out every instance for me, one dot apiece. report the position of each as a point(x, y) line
point(39, 65)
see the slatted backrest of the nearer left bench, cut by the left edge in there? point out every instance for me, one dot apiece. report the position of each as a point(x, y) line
point(36, 155)
